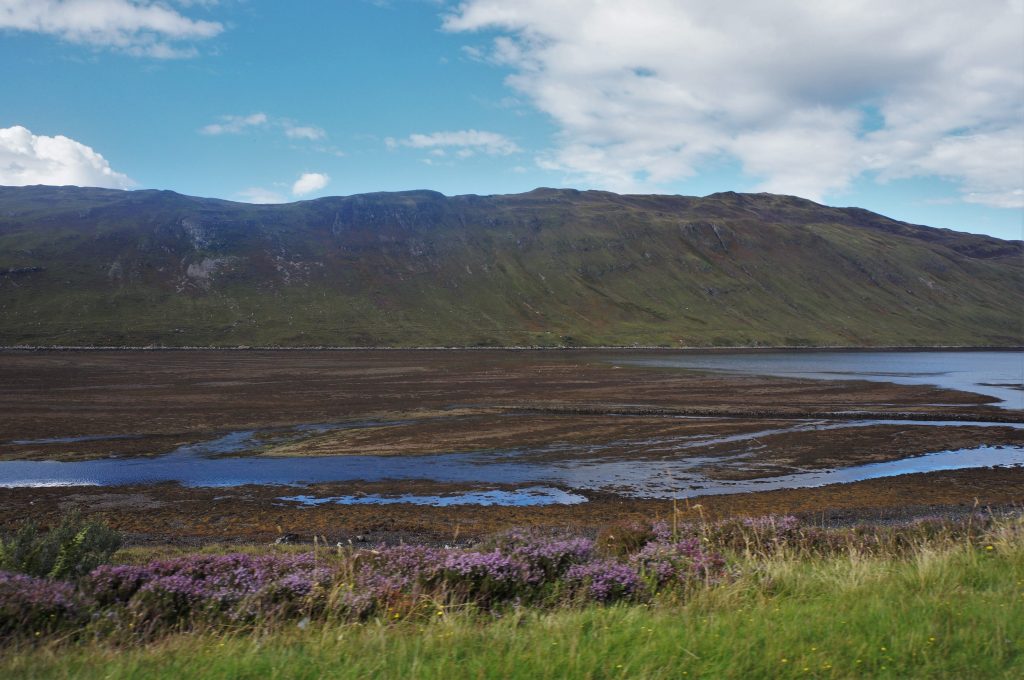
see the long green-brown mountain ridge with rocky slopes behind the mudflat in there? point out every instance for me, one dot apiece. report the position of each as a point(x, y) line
point(548, 268)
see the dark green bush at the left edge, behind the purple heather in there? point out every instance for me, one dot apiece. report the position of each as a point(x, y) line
point(71, 549)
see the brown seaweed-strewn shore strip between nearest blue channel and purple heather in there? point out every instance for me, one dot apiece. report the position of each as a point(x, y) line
point(191, 517)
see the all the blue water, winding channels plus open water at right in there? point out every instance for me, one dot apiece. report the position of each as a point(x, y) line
point(665, 467)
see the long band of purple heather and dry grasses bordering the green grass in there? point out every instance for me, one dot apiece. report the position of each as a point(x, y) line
point(524, 568)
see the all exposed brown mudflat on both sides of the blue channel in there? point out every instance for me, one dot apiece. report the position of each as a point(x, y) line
point(97, 405)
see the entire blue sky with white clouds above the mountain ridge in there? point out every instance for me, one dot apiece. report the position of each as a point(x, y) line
point(912, 110)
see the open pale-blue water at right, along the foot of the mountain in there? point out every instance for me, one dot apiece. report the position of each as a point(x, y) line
point(996, 374)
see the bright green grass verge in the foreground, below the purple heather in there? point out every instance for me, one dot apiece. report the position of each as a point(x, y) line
point(948, 612)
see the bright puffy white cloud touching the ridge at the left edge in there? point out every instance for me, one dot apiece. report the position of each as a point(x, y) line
point(29, 159)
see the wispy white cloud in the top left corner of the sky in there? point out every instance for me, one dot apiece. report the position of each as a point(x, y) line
point(136, 27)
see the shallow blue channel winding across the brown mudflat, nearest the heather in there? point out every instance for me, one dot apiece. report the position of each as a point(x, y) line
point(670, 469)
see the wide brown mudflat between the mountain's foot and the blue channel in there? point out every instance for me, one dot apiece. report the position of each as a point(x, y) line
point(156, 400)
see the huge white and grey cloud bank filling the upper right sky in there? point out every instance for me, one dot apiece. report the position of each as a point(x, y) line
point(806, 97)
